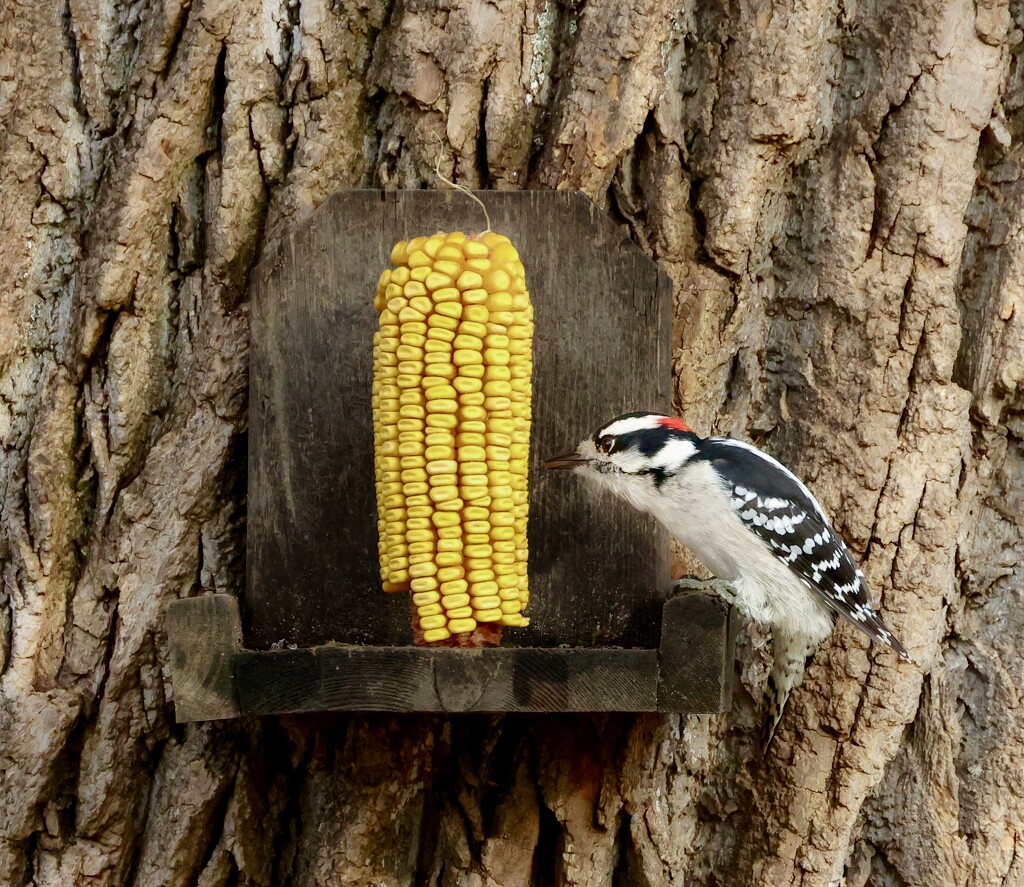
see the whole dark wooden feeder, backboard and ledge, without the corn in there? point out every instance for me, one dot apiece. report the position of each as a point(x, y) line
point(315, 631)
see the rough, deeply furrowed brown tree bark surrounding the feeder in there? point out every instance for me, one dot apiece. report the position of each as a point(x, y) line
point(837, 191)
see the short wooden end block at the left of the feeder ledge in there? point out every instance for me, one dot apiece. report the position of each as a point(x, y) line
point(204, 635)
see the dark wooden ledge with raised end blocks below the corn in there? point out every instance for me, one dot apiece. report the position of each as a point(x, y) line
point(216, 679)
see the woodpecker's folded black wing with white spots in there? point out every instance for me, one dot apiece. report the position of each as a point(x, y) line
point(781, 511)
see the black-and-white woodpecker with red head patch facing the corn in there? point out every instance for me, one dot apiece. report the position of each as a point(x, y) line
point(751, 522)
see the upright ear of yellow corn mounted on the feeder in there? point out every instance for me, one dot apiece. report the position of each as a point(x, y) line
point(453, 361)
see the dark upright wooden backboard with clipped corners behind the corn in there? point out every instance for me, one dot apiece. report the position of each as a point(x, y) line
point(599, 569)
